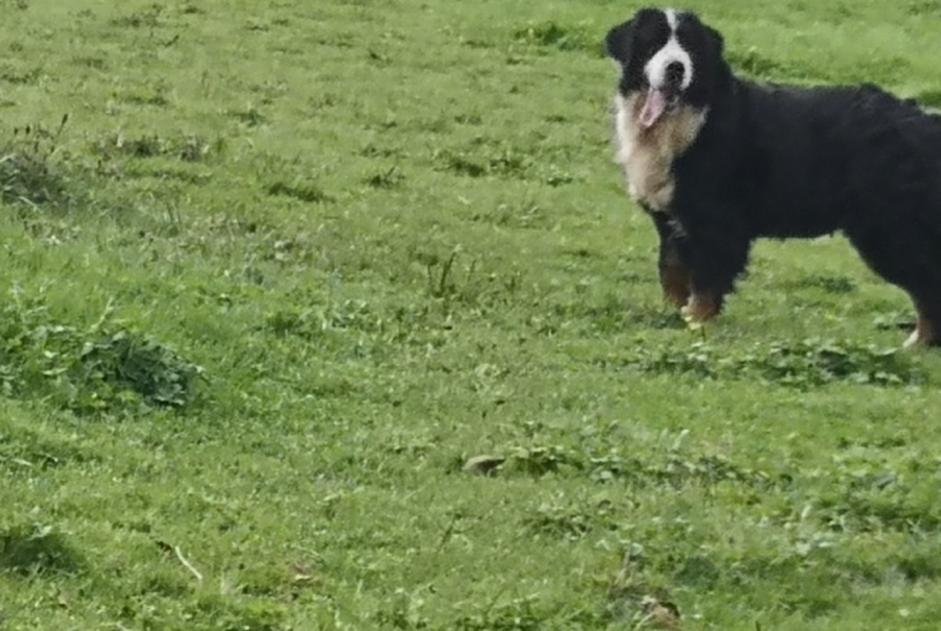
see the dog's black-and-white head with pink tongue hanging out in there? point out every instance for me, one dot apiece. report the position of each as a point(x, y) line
point(668, 58)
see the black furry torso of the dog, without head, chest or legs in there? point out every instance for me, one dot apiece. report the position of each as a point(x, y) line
point(806, 162)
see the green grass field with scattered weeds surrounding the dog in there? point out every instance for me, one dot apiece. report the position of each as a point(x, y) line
point(272, 273)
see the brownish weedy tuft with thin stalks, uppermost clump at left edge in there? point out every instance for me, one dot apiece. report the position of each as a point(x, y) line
point(32, 173)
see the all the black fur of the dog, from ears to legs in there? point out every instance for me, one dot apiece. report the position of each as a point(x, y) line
point(783, 162)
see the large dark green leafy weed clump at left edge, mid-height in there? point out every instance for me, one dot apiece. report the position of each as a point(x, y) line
point(95, 370)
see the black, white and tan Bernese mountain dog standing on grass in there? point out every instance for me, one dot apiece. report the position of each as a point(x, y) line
point(718, 161)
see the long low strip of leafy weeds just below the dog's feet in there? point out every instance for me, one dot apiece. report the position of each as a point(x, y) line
point(802, 364)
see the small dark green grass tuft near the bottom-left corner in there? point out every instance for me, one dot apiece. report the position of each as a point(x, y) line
point(34, 549)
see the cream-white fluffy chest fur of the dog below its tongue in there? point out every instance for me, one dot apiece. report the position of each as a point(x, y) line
point(647, 155)
